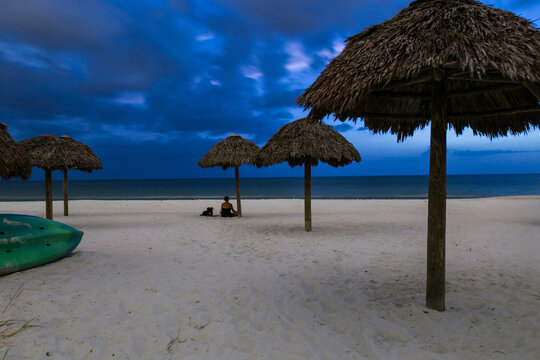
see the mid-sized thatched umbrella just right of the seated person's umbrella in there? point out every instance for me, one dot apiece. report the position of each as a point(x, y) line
point(306, 142)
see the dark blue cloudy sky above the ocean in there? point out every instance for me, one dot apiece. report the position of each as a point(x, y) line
point(152, 85)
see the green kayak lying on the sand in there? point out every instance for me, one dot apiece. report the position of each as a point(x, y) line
point(28, 241)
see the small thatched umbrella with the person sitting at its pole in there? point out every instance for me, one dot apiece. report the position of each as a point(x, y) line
point(231, 152)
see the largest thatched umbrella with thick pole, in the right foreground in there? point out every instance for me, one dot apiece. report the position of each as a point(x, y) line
point(456, 63)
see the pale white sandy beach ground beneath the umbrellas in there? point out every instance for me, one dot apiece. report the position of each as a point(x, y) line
point(154, 280)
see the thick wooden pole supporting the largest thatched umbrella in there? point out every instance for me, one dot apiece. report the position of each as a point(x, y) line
point(435, 287)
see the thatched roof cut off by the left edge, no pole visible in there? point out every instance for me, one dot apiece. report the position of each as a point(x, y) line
point(14, 161)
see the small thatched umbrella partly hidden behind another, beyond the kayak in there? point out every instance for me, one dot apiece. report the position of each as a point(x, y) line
point(78, 157)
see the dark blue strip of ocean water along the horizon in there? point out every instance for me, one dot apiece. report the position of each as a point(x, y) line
point(350, 187)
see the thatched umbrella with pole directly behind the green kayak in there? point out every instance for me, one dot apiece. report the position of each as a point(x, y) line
point(45, 152)
